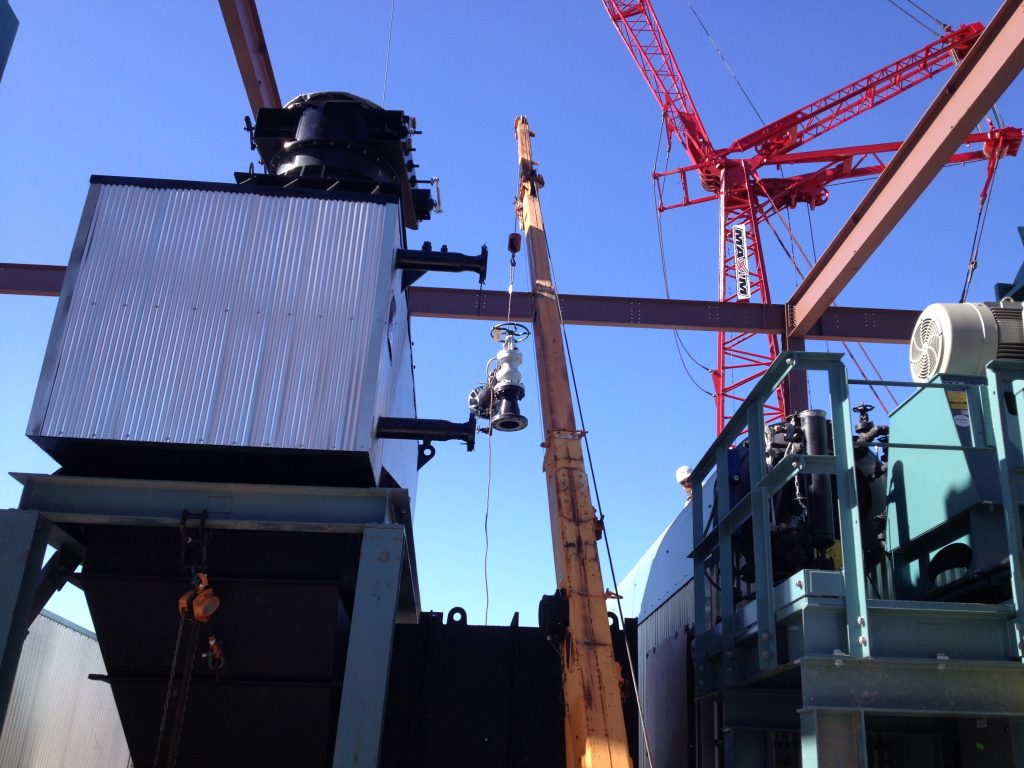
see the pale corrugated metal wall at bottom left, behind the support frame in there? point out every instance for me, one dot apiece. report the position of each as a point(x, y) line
point(58, 717)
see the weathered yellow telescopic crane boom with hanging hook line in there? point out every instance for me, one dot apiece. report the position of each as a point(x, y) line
point(595, 729)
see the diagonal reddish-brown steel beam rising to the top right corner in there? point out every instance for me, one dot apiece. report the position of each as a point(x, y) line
point(987, 72)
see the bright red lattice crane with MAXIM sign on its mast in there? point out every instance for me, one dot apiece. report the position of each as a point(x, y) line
point(749, 200)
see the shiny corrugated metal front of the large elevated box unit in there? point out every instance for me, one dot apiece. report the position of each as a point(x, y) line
point(207, 317)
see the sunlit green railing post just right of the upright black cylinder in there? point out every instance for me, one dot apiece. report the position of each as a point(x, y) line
point(849, 518)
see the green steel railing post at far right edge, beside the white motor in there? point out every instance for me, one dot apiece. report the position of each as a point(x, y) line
point(1007, 432)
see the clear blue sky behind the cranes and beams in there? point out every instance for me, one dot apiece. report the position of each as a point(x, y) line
point(148, 90)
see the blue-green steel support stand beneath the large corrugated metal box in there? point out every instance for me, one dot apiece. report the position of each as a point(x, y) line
point(386, 587)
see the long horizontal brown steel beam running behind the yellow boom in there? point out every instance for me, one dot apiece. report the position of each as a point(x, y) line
point(842, 324)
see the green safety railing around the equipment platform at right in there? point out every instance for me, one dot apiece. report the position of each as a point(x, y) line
point(714, 537)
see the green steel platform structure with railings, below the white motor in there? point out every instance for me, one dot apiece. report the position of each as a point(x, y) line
point(836, 692)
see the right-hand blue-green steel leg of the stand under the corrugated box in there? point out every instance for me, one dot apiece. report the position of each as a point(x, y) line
point(361, 718)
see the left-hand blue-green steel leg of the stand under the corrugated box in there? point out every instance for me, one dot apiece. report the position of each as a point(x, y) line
point(23, 544)
